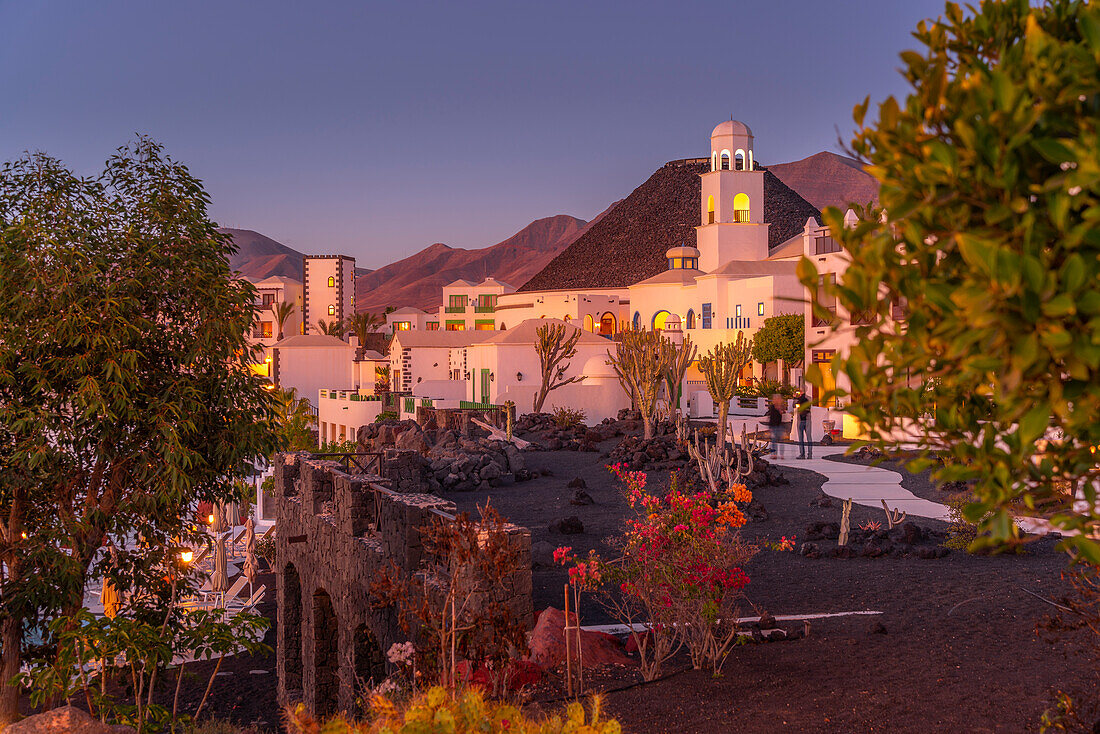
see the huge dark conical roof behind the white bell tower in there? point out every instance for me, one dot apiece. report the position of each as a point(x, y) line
point(629, 245)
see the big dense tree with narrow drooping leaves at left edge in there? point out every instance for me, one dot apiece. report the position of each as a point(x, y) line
point(126, 389)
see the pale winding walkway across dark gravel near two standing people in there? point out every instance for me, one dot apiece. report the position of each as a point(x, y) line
point(864, 486)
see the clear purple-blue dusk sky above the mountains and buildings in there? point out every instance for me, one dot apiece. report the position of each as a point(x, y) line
point(377, 129)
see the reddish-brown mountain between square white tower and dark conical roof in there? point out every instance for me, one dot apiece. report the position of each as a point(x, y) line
point(419, 280)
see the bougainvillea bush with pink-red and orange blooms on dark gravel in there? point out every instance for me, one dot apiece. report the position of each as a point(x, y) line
point(678, 579)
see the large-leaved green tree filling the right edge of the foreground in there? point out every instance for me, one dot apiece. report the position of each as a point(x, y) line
point(989, 238)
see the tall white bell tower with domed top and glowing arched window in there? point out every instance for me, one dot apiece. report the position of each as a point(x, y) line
point(732, 224)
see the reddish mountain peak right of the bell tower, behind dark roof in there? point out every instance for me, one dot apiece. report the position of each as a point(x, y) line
point(828, 180)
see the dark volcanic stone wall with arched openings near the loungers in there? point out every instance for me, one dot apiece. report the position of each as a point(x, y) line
point(335, 532)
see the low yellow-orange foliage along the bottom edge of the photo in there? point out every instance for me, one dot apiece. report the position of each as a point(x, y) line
point(437, 713)
